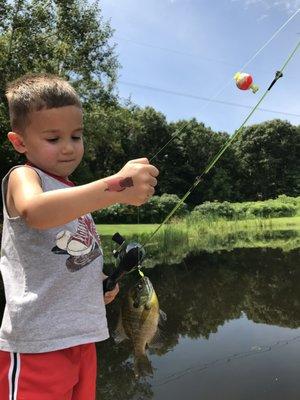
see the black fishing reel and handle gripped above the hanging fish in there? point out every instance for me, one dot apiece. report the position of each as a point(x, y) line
point(128, 256)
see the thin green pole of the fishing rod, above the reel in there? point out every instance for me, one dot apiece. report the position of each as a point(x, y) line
point(214, 160)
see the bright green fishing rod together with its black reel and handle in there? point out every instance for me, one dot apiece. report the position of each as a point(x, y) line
point(130, 256)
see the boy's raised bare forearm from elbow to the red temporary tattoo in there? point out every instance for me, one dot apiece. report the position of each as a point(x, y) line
point(58, 207)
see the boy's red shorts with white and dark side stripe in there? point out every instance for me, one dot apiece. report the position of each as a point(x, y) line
point(68, 374)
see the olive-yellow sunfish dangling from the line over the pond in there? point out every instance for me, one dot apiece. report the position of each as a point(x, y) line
point(139, 321)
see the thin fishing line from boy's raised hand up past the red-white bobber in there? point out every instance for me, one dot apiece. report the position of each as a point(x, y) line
point(229, 82)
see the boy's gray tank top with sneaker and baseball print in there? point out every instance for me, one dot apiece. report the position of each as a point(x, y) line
point(52, 280)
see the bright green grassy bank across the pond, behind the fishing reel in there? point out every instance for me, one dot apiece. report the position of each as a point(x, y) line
point(175, 240)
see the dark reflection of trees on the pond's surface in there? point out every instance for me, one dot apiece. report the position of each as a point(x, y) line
point(200, 295)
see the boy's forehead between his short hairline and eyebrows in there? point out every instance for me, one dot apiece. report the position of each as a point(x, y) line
point(56, 118)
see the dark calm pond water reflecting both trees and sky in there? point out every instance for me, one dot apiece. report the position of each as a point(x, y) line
point(232, 331)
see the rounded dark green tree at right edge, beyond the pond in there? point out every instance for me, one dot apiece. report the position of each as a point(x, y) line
point(269, 160)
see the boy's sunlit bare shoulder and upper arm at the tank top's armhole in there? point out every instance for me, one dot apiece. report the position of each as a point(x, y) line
point(21, 180)
